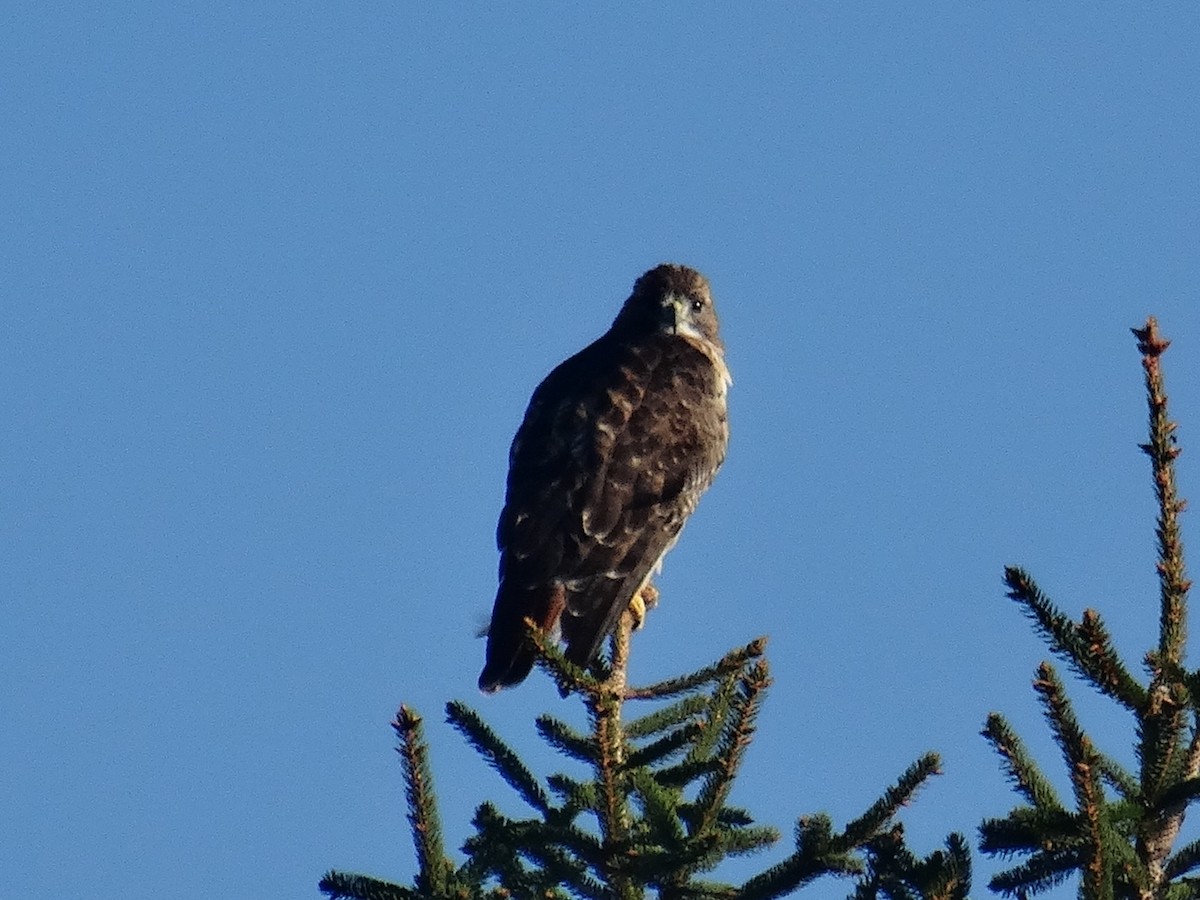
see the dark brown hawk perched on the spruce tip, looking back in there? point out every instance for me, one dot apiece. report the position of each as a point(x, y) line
point(617, 447)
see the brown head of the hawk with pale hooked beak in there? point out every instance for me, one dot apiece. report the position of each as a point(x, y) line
point(673, 299)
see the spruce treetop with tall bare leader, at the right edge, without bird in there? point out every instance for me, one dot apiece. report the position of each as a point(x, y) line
point(1119, 830)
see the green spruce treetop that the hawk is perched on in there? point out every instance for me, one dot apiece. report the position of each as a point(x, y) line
point(652, 815)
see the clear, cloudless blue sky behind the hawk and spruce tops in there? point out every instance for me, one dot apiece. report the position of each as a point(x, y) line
point(278, 283)
